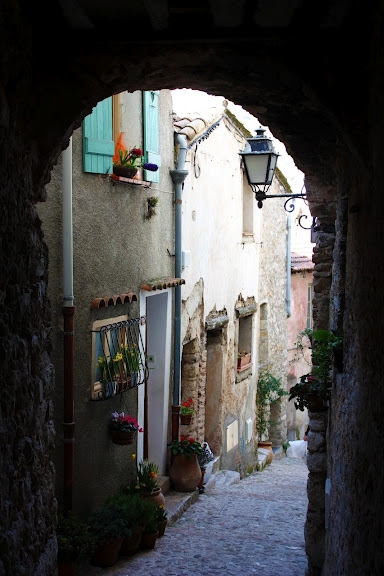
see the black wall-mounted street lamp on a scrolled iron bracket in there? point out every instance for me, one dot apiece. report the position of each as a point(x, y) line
point(260, 159)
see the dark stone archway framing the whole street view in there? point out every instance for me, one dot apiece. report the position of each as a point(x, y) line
point(291, 70)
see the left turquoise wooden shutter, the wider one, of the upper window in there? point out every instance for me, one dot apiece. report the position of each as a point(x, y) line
point(98, 144)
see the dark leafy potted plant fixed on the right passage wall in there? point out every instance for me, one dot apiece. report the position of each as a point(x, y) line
point(313, 391)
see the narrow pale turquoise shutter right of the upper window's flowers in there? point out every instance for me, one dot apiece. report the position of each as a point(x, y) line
point(151, 134)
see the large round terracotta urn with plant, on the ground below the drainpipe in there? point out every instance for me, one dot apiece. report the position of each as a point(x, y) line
point(185, 473)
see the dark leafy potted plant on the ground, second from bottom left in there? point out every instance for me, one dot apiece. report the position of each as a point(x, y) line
point(109, 526)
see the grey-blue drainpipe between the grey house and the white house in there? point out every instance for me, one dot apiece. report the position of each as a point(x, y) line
point(178, 176)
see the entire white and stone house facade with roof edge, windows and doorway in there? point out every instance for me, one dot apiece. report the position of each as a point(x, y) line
point(235, 289)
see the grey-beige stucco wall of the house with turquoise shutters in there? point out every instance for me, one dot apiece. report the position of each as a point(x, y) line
point(116, 249)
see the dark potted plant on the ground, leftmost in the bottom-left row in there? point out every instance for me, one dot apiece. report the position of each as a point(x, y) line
point(75, 543)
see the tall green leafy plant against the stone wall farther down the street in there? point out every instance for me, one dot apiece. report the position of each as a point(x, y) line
point(269, 391)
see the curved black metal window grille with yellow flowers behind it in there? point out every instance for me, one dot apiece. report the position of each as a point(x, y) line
point(120, 357)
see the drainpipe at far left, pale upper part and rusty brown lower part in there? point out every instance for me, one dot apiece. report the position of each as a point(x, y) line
point(68, 310)
